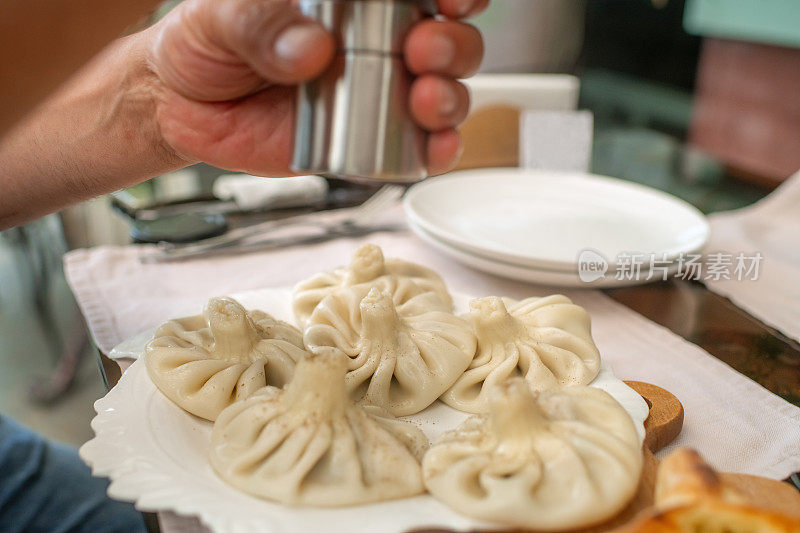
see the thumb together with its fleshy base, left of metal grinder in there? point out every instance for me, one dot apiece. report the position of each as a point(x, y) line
point(223, 49)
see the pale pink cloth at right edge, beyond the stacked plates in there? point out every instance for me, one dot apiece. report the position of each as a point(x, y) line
point(771, 228)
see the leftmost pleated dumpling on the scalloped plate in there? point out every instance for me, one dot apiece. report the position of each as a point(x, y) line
point(204, 363)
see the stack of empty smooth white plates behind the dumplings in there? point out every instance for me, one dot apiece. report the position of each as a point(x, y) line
point(554, 228)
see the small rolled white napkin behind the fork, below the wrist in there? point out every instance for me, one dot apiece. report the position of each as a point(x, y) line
point(251, 192)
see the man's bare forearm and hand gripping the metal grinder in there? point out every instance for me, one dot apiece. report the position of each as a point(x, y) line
point(211, 82)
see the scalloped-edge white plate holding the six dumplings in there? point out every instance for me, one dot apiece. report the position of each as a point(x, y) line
point(156, 456)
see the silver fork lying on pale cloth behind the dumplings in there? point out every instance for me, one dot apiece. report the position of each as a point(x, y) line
point(331, 222)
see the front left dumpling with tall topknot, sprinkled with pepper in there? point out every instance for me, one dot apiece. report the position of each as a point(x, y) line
point(310, 445)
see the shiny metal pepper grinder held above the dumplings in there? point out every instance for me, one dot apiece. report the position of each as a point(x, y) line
point(353, 122)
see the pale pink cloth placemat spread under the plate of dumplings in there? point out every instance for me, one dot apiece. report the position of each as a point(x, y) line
point(735, 423)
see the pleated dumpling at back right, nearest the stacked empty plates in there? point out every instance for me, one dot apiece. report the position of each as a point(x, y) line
point(548, 341)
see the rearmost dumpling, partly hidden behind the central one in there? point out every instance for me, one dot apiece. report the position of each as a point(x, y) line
point(401, 279)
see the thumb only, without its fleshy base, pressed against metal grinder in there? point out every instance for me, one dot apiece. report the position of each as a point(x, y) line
point(272, 37)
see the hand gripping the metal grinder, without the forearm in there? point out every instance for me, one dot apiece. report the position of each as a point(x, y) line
point(224, 70)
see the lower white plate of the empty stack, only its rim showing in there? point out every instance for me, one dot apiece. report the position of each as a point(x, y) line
point(539, 276)
